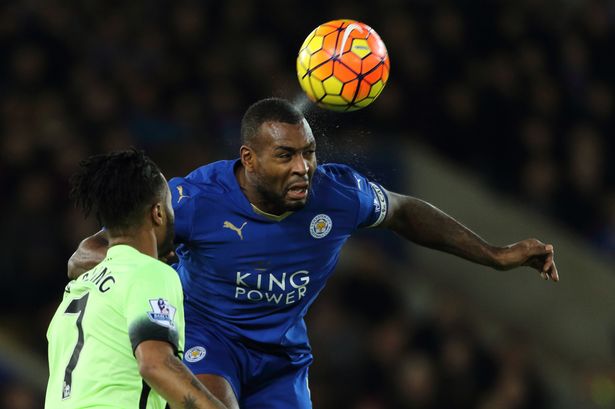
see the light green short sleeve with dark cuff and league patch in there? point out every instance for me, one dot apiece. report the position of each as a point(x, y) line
point(154, 307)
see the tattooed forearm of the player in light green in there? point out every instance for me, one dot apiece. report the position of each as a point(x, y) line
point(179, 387)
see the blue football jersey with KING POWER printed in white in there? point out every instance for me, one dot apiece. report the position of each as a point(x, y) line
point(254, 276)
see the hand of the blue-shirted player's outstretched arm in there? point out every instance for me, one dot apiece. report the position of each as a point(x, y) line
point(532, 253)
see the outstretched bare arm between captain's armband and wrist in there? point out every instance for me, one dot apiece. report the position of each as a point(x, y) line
point(424, 224)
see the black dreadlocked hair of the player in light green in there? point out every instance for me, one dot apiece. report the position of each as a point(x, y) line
point(117, 187)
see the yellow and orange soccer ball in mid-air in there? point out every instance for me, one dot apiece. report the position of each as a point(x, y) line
point(343, 65)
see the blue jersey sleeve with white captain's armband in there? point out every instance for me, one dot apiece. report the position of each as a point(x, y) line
point(371, 200)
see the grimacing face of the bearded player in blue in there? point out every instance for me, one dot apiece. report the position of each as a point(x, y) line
point(286, 161)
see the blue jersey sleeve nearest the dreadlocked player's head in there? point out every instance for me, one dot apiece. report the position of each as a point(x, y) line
point(183, 195)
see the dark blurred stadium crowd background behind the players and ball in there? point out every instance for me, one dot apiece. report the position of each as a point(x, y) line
point(499, 112)
